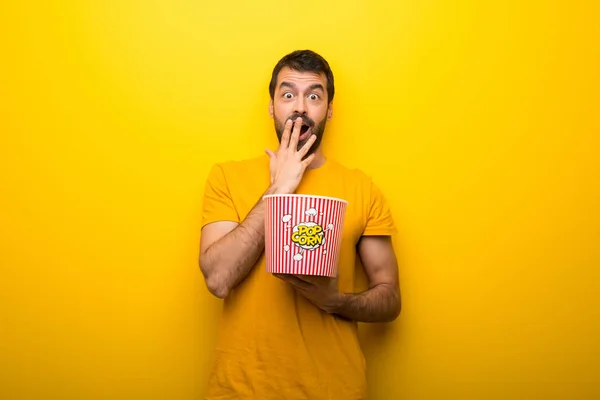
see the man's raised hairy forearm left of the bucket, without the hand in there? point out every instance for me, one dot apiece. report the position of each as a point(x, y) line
point(228, 261)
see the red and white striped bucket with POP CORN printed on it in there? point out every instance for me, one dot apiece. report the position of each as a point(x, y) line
point(303, 233)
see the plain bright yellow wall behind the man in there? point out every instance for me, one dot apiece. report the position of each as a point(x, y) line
point(479, 120)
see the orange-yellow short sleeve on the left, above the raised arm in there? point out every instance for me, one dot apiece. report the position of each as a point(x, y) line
point(217, 204)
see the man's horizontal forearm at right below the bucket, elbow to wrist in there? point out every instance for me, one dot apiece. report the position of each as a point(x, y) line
point(380, 303)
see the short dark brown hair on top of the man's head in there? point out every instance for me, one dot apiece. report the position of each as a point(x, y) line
point(304, 61)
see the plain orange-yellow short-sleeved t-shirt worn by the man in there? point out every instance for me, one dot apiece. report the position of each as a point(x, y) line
point(273, 343)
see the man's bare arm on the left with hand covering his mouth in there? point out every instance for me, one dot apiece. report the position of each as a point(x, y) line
point(229, 250)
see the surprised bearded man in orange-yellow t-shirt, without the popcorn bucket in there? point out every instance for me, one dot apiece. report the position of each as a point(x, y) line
point(284, 336)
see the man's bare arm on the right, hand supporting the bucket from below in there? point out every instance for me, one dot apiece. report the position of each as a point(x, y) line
point(379, 303)
